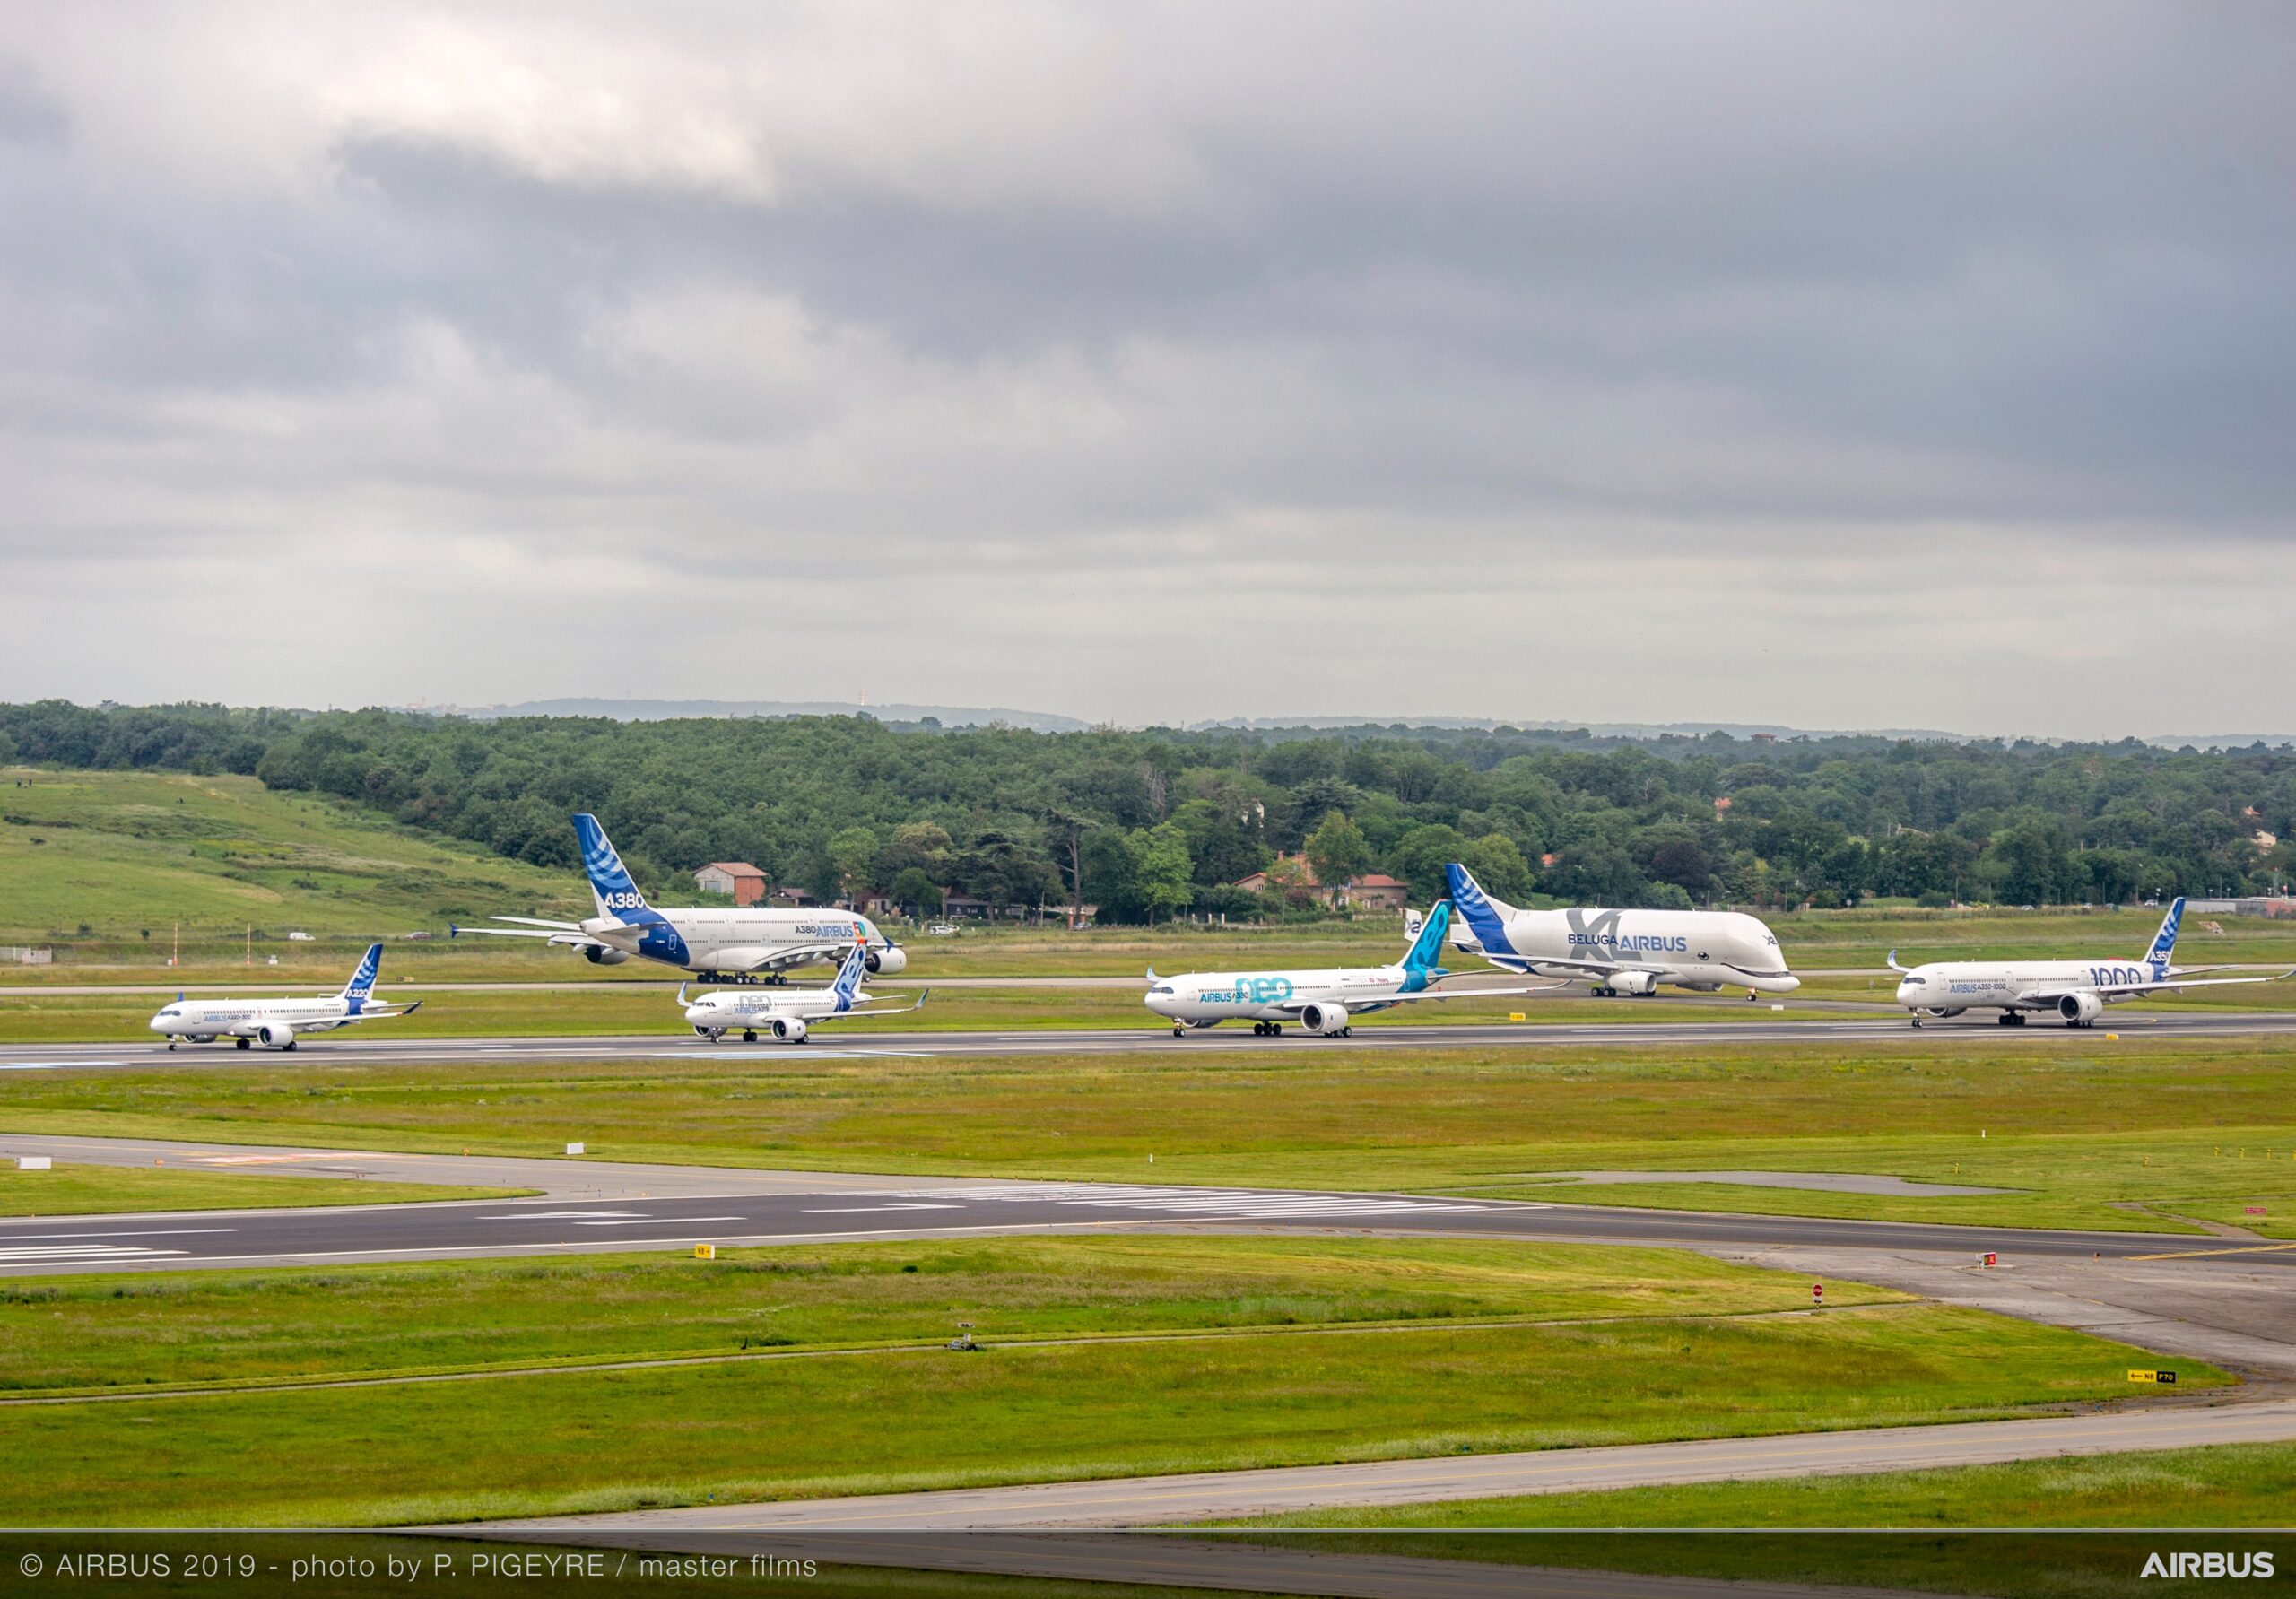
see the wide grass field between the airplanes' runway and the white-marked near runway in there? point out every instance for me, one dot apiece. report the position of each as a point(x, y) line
point(2084, 1134)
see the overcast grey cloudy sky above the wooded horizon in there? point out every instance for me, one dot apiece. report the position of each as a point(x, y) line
point(1817, 364)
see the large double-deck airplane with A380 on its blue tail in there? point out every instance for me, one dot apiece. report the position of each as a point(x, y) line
point(717, 945)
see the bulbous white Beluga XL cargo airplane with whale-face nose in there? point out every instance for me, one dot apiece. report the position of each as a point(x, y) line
point(1622, 952)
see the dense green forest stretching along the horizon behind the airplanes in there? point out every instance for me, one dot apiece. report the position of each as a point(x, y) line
point(1158, 824)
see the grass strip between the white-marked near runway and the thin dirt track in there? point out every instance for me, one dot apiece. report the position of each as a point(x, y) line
point(265, 1327)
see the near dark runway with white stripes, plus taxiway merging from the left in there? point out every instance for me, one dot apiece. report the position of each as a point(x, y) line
point(731, 1207)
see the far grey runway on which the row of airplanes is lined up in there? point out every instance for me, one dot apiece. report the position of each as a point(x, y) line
point(858, 1044)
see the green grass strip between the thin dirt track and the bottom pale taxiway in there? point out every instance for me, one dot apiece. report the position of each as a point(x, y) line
point(890, 1421)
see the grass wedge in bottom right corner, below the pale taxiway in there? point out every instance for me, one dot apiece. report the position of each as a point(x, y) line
point(2221, 1488)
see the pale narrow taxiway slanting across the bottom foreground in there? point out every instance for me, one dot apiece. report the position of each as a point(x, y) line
point(1234, 1494)
